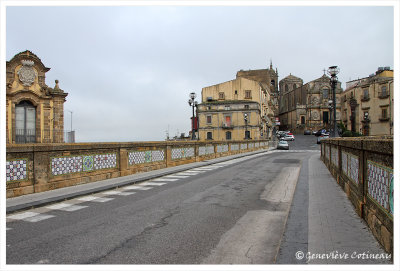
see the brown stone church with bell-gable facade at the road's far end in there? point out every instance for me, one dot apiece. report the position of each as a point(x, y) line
point(306, 106)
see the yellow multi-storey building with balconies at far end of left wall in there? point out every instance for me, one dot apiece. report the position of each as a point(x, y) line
point(236, 110)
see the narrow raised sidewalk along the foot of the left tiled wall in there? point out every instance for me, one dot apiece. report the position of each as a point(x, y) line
point(43, 198)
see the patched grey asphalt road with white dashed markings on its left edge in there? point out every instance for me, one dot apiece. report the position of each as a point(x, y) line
point(233, 212)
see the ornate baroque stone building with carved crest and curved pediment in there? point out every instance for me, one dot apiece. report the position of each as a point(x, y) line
point(35, 112)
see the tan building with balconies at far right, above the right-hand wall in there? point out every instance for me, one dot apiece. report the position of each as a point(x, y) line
point(367, 104)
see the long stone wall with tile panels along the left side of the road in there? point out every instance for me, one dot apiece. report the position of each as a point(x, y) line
point(32, 168)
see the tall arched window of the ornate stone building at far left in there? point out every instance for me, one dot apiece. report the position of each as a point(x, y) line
point(25, 122)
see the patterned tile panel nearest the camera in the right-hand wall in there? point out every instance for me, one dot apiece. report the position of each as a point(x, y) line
point(380, 185)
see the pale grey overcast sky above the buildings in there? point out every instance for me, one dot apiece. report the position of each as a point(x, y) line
point(129, 69)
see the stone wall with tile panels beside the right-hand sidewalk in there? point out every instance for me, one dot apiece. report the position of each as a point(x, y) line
point(363, 167)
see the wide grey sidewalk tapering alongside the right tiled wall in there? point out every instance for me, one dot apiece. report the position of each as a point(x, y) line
point(334, 228)
